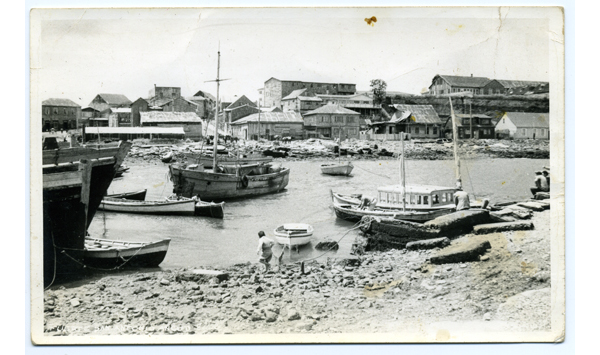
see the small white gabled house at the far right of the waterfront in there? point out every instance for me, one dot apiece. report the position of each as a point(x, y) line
point(523, 125)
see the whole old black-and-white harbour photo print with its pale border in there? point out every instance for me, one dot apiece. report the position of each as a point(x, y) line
point(297, 175)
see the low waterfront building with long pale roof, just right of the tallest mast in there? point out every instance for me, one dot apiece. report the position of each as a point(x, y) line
point(269, 125)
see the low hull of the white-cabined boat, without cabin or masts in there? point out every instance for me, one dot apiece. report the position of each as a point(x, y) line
point(354, 214)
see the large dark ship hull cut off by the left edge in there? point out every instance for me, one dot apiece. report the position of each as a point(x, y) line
point(74, 182)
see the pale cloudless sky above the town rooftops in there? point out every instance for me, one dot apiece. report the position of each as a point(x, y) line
point(79, 53)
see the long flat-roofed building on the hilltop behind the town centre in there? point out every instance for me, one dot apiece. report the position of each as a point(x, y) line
point(275, 89)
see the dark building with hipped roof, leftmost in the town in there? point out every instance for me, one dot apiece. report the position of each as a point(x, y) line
point(60, 114)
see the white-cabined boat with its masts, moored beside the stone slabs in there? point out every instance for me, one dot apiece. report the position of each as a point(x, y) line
point(418, 203)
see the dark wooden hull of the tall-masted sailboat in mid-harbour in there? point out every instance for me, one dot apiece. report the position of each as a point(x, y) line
point(209, 186)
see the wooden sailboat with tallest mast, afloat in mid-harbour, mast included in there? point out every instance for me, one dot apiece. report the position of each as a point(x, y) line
point(216, 184)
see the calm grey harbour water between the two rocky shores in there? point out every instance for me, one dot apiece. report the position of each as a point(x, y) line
point(203, 241)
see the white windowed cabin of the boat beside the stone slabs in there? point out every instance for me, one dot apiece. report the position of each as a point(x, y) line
point(418, 197)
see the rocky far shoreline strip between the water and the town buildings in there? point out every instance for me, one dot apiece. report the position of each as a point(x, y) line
point(319, 149)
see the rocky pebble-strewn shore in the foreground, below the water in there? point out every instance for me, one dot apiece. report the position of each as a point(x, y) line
point(381, 291)
